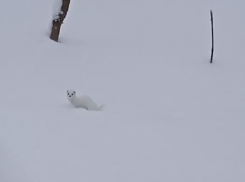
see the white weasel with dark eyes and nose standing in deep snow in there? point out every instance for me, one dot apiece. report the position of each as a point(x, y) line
point(83, 101)
